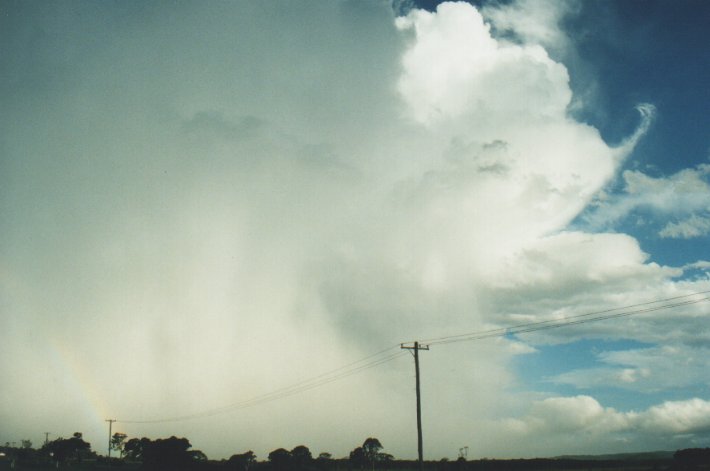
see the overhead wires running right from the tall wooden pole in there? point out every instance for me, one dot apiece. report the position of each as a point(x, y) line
point(623, 311)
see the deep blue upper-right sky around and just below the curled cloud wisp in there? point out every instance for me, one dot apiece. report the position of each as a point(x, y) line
point(654, 53)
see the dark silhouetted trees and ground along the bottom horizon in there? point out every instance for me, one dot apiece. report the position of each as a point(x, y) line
point(176, 454)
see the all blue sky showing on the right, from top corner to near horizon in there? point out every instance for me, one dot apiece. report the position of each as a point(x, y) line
point(650, 52)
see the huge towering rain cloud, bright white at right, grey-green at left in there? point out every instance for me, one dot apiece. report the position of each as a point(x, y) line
point(274, 193)
